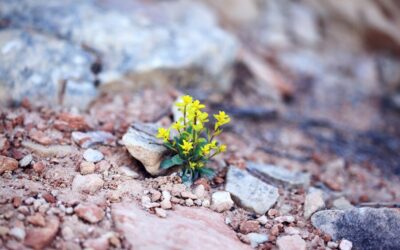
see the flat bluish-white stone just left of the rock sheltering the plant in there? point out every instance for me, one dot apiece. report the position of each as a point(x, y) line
point(88, 139)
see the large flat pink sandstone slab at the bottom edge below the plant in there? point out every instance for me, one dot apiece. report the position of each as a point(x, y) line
point(188, 228)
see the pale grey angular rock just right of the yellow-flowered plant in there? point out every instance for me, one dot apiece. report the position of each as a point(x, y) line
point(249, 191)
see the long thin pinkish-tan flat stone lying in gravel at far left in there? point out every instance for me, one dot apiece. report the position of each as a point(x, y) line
point(50, 151)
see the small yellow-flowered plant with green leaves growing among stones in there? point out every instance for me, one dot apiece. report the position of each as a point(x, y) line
point(194, 144)
